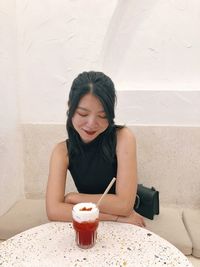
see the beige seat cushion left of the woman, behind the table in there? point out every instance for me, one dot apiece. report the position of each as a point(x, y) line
point(23, 215)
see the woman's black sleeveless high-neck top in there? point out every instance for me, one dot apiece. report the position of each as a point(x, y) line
point(90, 171)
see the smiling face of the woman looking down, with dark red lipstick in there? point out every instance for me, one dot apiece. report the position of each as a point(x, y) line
point(89, 119)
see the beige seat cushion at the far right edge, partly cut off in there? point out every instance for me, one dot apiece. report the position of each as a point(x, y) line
point(191, 219)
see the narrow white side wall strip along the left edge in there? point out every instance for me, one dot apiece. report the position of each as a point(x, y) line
point(11, 163)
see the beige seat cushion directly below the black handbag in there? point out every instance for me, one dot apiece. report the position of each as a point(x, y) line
point(169, 225)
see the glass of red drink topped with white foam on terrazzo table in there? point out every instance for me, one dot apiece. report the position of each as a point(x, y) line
point(85, 222)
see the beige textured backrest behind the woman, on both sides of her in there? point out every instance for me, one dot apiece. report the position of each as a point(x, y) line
point(168, 158)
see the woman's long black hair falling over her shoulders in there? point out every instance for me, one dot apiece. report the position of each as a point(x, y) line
point(101, 86)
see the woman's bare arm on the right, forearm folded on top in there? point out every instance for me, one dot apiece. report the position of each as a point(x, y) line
point(121, 203)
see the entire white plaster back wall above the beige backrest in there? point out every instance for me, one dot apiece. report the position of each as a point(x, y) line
point(143, 45)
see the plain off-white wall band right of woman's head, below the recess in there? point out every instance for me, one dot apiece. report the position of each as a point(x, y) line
point(174, 108)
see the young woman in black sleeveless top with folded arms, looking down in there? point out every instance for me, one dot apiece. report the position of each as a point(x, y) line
point(96, 151)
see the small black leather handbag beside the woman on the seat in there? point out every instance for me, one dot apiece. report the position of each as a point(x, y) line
point(147, 201)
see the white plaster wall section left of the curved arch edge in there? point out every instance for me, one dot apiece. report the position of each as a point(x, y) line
point(57, 40)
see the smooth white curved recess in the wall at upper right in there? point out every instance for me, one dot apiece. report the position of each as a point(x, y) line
point(154, 45)
